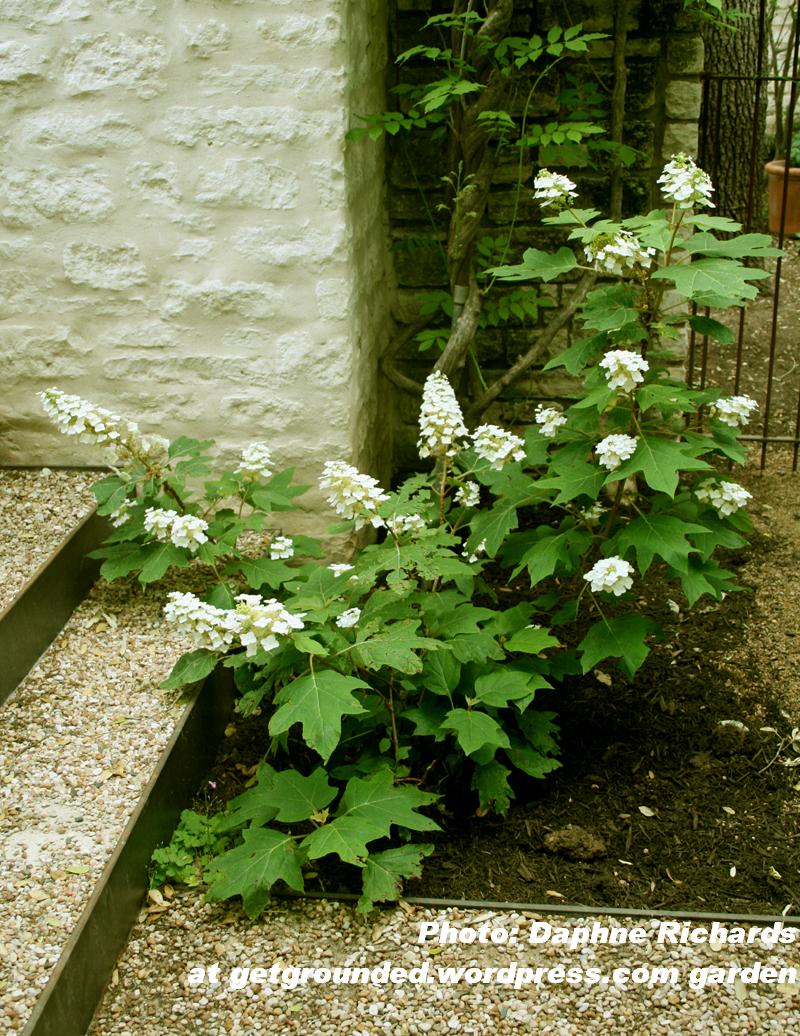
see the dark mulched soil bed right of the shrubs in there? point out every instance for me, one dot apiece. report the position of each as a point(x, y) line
point(683, 799)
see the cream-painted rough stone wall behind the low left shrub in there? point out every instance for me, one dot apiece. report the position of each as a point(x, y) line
point(185, 236)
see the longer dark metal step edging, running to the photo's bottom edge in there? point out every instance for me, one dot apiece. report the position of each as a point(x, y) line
point(88, 962)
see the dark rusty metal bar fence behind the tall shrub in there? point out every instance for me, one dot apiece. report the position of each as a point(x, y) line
point(762, 359)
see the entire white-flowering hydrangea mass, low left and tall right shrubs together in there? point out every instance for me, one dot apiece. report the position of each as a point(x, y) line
point(390, 680)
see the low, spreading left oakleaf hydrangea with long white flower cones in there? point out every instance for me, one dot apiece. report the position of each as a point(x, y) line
point(382, 681)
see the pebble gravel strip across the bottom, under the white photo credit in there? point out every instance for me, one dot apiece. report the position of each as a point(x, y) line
point(154, 991)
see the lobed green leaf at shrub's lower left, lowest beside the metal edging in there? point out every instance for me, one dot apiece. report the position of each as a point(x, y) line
point(251, 870)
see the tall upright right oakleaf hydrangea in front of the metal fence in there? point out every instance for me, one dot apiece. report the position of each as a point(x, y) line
point(630, 475)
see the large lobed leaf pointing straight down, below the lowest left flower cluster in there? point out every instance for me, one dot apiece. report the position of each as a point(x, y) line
point(318, 702)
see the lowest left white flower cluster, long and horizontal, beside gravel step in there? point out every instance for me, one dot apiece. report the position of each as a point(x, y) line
point(256, 623)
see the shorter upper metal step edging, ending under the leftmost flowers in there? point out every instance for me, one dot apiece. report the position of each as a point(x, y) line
point(50, 596)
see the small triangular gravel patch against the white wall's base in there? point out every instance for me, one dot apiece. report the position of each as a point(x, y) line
point(38, 509)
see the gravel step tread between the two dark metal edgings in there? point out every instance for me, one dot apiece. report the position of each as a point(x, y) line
point(79, 739)
